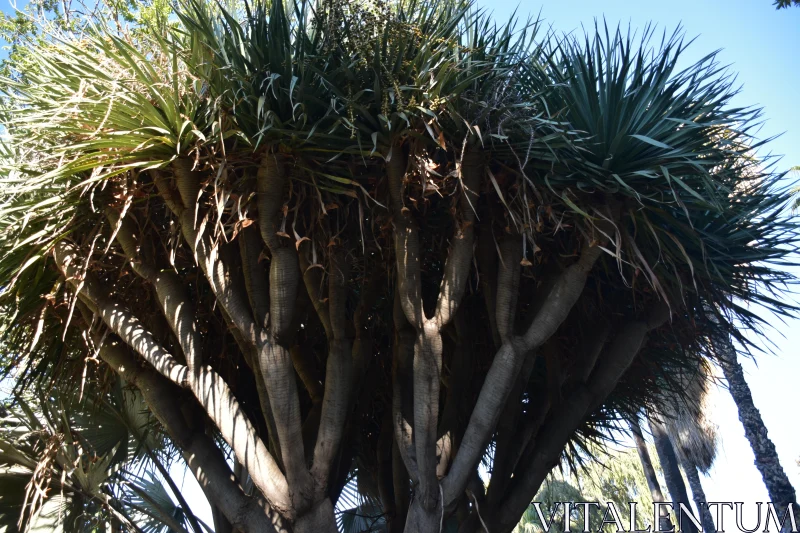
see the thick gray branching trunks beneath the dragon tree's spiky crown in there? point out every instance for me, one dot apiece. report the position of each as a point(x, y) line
point(295, 474)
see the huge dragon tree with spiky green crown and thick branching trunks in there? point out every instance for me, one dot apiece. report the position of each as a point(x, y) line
point(376, 240)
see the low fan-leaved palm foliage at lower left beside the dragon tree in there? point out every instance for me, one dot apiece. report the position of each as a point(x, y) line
point(99, 460)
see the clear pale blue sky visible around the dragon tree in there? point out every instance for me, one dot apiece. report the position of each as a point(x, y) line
point(762, 45)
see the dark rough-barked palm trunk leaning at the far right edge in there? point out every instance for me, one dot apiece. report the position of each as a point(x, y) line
point(781, 492)
